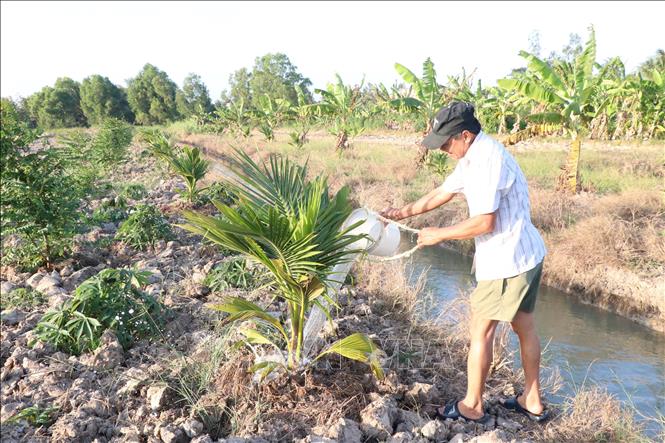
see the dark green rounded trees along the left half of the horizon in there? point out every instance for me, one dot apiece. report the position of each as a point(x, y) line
point(152, 98)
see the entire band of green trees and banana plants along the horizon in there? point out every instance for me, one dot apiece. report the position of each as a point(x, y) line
point(625, 104)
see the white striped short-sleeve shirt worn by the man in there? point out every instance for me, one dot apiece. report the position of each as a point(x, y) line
point(491, 180)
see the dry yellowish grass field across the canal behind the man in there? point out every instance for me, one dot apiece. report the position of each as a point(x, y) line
point(605, 244)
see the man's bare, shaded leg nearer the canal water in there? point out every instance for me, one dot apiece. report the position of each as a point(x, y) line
point(524, 326)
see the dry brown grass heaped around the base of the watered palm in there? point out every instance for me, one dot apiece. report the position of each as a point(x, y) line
point(287, 407)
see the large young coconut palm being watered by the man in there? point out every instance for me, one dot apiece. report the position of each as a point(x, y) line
point(294, 229)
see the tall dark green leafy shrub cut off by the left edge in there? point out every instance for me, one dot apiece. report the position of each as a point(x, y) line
point(40, 198)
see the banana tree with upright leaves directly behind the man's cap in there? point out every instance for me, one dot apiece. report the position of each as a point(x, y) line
point(428, 97)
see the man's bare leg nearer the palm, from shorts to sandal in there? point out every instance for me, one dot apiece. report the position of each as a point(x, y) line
point(478, 365)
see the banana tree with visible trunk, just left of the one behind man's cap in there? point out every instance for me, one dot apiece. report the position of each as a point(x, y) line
point(341, 103)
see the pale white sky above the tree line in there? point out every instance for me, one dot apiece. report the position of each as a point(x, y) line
point(41, 41)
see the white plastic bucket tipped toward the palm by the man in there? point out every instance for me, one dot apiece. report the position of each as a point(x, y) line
point(383, 239)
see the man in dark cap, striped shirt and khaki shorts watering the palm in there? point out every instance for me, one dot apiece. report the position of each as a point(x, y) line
point(509, 253)
